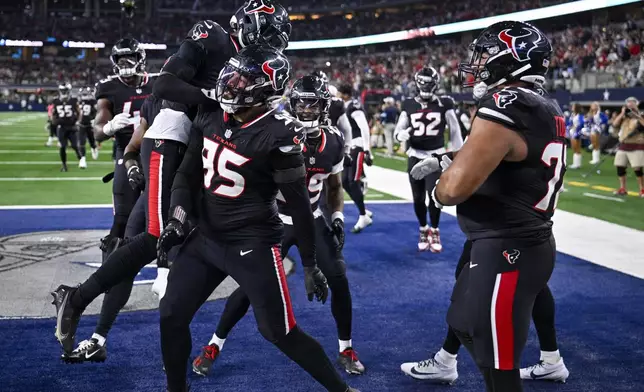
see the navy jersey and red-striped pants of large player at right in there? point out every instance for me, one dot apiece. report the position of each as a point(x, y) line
point(508, 220)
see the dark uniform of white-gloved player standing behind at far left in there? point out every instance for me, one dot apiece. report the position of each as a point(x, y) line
point(124, 99)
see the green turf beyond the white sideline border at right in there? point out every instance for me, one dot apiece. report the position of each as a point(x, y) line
point(591, 195)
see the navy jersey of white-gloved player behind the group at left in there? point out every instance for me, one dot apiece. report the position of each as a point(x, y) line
point(125, 99)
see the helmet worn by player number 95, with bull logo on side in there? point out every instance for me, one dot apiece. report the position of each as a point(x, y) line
point(255, 75)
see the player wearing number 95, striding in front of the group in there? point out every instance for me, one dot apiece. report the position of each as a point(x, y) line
point(239, 156)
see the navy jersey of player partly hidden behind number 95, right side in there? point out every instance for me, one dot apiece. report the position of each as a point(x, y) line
point(322, 159)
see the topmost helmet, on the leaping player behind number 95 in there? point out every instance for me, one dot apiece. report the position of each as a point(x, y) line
point(261, 22)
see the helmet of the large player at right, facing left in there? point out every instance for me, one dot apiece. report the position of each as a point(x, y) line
point(506, 52)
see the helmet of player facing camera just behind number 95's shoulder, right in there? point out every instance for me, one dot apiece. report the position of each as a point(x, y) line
point(310, 101)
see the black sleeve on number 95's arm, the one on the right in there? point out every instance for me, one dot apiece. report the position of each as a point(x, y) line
point(290, 176)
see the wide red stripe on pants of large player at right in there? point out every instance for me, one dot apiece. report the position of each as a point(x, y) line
point(504, 319)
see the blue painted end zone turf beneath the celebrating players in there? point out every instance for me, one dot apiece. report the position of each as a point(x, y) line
point(400, 299)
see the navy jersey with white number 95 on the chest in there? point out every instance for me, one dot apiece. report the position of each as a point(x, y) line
point(238, 198)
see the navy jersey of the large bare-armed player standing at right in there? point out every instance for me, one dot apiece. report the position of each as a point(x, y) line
point(519, 198)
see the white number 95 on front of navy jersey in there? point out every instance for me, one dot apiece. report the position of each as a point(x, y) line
point(221, 160)
